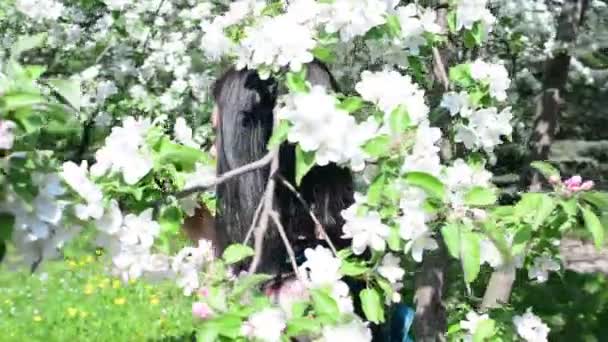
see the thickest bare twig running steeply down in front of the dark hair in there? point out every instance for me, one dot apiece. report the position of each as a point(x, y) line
point(260, 230)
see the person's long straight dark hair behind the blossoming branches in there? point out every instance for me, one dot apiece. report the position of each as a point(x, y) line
point(246, 103)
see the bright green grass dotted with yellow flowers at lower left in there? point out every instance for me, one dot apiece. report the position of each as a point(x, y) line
point(76, 300)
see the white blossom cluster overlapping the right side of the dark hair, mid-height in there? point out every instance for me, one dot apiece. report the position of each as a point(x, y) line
point(318, 125)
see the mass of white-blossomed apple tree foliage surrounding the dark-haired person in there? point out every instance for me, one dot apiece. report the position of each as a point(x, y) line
point(97, 98)
